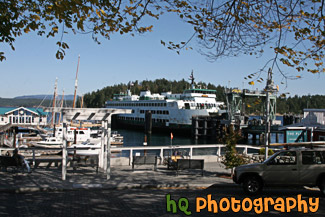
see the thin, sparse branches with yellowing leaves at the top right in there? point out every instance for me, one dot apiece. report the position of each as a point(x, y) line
point(294, 29)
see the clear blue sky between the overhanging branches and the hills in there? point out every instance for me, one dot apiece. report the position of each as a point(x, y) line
point(32, 68)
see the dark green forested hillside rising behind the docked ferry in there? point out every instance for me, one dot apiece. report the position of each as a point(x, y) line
point(294, 104)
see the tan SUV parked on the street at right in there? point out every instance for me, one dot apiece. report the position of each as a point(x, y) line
point(293, 167)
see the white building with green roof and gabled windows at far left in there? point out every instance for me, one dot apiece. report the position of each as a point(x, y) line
point(22, 116)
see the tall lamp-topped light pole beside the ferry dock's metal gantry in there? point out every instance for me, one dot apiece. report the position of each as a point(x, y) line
point(269, 88)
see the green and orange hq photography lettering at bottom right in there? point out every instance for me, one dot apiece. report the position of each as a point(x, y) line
point(257, 205)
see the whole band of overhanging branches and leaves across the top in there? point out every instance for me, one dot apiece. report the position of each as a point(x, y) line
point(294, 29)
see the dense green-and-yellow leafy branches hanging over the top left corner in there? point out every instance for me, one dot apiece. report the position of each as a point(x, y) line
point(56, 18)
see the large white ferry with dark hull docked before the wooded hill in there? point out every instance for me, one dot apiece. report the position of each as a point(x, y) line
point(168, 111)
